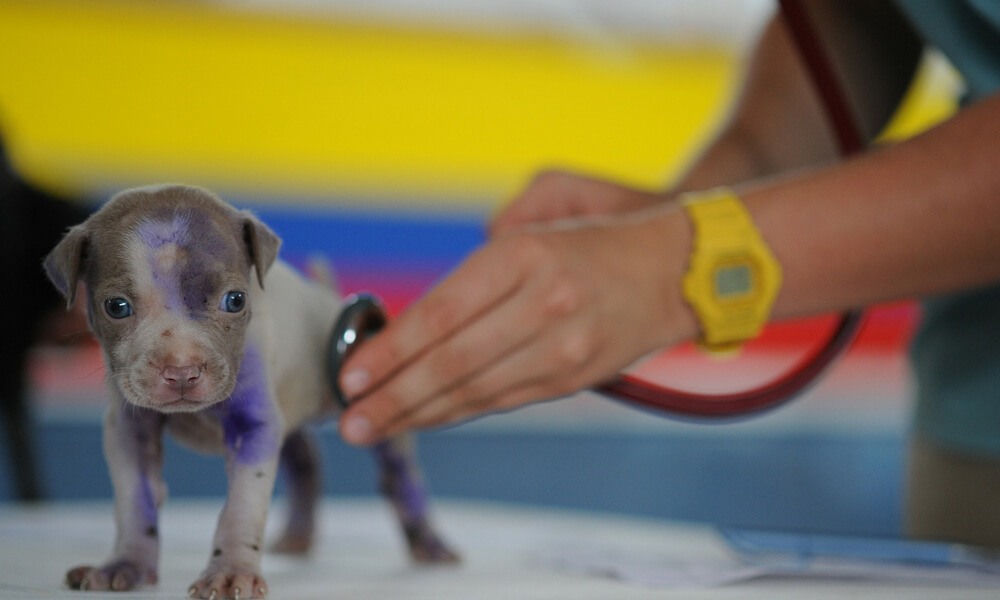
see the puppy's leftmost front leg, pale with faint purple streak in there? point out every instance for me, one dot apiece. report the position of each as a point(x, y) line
point(133, 446)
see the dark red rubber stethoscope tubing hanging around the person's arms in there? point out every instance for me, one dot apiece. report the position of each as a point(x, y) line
point(676, 402)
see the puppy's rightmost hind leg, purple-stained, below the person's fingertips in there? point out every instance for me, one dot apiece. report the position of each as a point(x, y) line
point(402, 484)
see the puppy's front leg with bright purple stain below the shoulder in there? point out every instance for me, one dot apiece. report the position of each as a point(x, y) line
point(252, 427)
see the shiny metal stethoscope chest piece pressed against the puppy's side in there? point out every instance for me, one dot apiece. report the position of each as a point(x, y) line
point(362, 317)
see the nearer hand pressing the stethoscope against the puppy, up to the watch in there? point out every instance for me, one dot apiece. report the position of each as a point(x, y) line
point(536, 314)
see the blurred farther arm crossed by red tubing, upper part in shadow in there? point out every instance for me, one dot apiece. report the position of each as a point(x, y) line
point(778, 122)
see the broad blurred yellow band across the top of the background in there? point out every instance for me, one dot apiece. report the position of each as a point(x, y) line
point(114, 93)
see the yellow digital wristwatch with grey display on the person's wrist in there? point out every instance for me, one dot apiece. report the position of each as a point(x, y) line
point(733, 278)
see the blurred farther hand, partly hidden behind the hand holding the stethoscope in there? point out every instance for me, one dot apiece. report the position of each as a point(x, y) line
point(553, 195)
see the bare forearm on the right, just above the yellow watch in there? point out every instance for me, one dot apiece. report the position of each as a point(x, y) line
point(916, 219)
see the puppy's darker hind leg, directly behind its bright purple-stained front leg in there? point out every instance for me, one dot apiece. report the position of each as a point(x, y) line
point(300, 464)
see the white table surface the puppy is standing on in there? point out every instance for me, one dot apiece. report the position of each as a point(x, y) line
point(506, 552)
